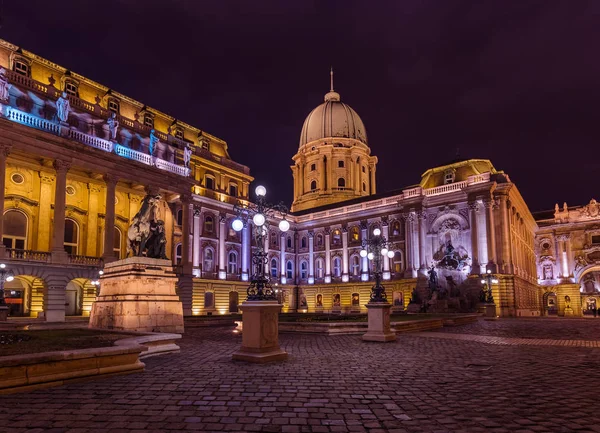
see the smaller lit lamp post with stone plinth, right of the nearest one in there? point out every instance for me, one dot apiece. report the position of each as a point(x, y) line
point(378, 308)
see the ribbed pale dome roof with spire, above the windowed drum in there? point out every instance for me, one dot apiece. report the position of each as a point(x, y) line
point(333, 118)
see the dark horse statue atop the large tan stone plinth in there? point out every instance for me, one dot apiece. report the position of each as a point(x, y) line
point(144, 226)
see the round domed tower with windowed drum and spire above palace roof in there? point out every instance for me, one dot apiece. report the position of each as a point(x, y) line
point(334, 161)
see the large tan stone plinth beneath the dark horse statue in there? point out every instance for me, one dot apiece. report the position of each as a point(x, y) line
point(138, 294)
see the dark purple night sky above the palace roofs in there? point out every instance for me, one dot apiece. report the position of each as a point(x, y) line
point(513, 81)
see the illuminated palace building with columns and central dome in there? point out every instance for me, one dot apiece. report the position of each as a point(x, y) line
point(78, 157)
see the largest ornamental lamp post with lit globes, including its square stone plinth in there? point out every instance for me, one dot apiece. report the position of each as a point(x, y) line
point(260, 310)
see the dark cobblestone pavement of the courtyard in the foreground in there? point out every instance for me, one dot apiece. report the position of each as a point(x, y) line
point(334, 384)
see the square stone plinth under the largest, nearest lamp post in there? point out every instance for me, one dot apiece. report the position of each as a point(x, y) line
point(260, 335)
